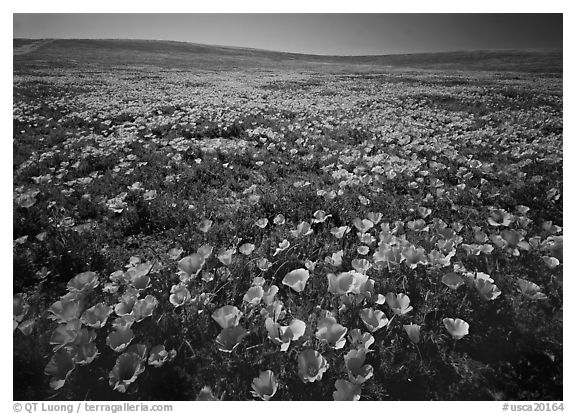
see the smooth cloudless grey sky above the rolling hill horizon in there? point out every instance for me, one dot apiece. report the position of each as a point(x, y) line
point(332, 34)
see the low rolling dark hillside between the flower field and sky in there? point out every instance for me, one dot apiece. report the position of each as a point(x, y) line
point(64, 52)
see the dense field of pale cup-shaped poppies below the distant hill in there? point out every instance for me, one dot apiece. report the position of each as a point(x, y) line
point(286, 233)
